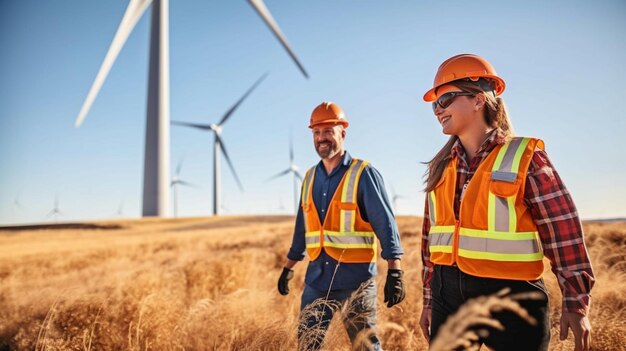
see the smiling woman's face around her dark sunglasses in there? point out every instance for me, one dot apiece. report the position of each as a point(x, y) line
point(459, 115)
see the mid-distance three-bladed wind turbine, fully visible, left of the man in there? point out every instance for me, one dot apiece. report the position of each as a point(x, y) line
point(218, 146)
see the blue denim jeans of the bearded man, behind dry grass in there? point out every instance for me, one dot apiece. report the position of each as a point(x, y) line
point(358, 315)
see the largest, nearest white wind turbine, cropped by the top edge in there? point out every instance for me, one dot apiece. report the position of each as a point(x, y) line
point(157, 143)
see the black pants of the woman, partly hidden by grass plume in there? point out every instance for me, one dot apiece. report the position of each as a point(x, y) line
point(451, 288)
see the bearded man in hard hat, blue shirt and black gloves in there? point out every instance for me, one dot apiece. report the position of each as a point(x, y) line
point(343, 209)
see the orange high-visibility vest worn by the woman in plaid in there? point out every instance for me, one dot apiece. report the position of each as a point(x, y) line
point(495, 235)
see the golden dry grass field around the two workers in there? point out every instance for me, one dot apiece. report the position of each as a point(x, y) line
point(210, 284)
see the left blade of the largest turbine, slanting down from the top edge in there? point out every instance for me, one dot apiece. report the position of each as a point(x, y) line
point(135, 9)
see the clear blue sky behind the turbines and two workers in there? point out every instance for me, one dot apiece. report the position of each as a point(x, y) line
point(563, 62)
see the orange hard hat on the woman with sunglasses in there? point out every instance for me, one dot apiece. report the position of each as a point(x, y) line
point(465, 66)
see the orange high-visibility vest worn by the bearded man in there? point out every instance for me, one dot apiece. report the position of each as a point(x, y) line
point(344, 235)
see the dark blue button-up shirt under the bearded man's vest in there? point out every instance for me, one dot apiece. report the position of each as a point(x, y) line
point(375, 209)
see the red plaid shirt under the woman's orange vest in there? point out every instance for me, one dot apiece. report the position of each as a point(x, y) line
point(554, 214)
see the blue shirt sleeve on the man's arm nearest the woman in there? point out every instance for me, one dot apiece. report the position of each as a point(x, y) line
point(375, 208)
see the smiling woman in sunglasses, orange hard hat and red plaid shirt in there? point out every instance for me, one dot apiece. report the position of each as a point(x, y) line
point(495, 207)
